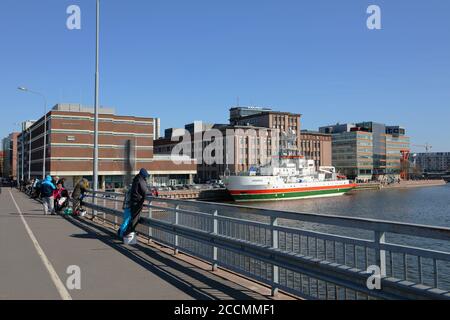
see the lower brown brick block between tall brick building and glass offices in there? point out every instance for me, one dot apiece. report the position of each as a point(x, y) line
point(316, 146)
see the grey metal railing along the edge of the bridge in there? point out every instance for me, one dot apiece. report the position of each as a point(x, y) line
point(313, 256)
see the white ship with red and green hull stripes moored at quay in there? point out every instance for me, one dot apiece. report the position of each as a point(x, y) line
point(292, 178)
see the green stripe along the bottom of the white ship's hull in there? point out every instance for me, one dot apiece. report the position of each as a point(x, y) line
point(289, 195)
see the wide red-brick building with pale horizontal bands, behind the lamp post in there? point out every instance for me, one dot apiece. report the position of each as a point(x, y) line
point(70, 143)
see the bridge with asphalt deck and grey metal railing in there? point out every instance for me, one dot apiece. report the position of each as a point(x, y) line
point(191, 250)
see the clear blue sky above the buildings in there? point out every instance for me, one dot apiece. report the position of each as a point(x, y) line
point(190, 60)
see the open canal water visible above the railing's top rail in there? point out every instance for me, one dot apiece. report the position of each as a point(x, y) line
point(428, 205)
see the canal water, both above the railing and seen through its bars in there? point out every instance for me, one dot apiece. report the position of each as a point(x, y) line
point(428, 206)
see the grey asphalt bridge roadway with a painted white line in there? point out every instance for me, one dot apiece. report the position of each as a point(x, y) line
point(36, 252)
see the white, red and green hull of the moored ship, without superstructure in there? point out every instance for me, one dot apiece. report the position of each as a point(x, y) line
point(243, 190)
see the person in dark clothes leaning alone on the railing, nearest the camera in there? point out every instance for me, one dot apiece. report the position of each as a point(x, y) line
point(137, 195)
